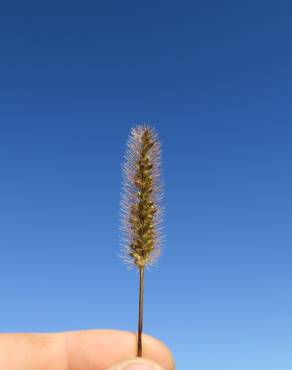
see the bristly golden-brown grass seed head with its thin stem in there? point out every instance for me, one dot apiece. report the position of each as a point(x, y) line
point(141, 206)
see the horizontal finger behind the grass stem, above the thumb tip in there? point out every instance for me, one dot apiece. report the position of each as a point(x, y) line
point(77, 350)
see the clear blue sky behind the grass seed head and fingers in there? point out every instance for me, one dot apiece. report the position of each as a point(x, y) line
point(214, 78)
